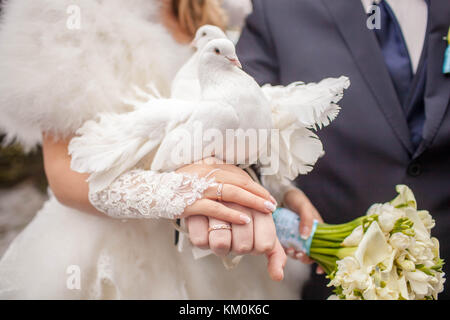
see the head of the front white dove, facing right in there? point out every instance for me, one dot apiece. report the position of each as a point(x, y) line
point(219, 53)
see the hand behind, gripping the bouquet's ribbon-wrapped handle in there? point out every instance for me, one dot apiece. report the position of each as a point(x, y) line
point(298, 202)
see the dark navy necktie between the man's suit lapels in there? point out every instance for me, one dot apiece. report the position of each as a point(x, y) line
point(396, 56)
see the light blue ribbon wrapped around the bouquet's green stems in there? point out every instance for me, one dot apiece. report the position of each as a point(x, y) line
point(287, 225)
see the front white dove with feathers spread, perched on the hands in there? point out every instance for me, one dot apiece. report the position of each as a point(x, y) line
point(230, 99)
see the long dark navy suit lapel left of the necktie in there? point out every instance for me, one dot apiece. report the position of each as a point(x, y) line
point(351, 20)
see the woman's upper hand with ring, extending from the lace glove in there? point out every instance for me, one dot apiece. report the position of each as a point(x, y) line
point(237, 187)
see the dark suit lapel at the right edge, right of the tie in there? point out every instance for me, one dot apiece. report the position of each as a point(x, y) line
point(437, 92)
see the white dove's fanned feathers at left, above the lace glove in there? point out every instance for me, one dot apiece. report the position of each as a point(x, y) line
point(117, 142)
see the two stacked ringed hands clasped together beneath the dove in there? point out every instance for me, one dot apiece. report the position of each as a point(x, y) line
point(246, 207)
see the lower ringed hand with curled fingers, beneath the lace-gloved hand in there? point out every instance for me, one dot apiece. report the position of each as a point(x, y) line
point(257, 237)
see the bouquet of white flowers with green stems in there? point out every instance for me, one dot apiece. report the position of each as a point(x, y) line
point(387, 254)
